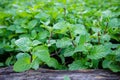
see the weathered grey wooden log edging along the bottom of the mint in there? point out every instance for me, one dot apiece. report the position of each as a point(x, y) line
point(47, 74)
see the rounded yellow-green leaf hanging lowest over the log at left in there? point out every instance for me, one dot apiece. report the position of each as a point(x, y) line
point(22, 63)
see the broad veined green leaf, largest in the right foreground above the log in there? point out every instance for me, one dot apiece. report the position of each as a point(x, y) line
point(98, 52)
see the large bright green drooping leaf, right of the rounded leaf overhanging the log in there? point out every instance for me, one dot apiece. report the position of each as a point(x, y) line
point(42, 53)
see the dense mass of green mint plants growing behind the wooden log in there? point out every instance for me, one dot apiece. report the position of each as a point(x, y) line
point(61, 34)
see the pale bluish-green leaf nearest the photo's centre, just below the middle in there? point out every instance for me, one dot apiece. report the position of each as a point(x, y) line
point(64, 42)
